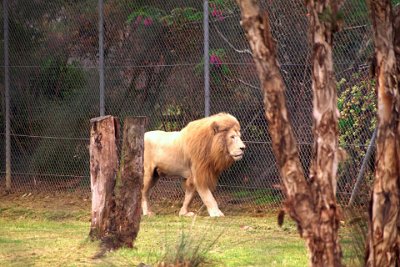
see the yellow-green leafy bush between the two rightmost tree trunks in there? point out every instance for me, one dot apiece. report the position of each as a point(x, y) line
point(357, 106)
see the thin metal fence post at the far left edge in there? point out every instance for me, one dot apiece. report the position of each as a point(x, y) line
point(7, 96)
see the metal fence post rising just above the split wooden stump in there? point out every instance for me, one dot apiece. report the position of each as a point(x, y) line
point(101, 57)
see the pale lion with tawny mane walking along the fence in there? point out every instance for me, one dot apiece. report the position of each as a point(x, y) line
point(198, 153)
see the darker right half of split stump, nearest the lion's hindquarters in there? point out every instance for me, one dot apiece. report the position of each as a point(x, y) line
point(128, 209)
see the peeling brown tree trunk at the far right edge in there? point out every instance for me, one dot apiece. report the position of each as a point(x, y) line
point(383, 234)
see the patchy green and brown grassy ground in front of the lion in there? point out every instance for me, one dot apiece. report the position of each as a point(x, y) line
point(48, 231)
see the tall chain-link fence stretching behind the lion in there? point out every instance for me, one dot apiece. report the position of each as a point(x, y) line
point(154, 67)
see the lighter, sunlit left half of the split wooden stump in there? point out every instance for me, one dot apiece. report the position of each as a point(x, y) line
point(103, 169)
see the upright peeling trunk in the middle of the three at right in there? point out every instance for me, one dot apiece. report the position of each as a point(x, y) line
point(323, 22)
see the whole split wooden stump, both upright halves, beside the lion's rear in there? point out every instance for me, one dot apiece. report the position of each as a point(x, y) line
point(116, 199)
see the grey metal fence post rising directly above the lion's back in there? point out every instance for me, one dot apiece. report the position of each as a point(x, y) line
point(206, 61)
